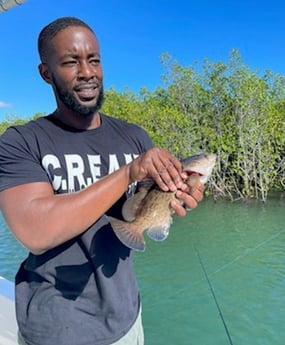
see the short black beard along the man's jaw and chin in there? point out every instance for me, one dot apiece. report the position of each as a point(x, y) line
point(68, 99)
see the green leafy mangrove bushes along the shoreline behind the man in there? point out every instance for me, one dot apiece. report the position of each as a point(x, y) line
point(218, 107)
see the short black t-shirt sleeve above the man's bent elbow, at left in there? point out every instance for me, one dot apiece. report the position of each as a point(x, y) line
point(20, 163)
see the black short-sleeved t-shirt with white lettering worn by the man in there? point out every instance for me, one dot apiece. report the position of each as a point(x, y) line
point(83, 292)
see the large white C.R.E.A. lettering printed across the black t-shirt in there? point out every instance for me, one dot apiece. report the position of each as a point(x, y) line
point(76, 170)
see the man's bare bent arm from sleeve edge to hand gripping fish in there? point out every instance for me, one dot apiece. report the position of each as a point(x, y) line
point(42, 220)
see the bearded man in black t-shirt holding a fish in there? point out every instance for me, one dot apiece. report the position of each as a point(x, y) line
point(59, 177)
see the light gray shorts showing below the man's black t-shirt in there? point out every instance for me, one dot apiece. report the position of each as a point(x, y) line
point(135, 336)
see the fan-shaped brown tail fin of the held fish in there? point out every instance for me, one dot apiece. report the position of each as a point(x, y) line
point(128, 234)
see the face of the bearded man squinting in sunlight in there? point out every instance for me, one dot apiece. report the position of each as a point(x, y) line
point(75, 70)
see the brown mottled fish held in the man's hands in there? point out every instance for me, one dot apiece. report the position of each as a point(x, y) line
point(149, 209)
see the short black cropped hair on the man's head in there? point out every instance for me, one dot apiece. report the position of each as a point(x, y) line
point(52, 29)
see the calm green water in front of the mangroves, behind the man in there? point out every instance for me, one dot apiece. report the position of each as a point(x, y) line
point(239, 246)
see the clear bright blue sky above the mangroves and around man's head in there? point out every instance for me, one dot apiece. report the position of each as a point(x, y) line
point(133, 34)
